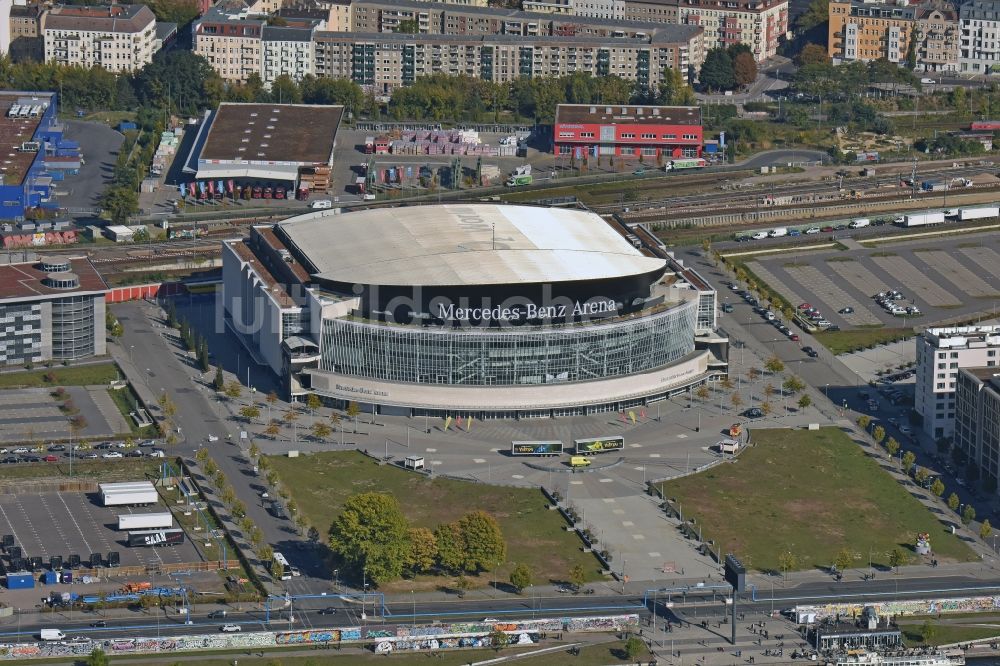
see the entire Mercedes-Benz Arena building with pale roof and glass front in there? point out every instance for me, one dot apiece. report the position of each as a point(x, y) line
point(493, 311)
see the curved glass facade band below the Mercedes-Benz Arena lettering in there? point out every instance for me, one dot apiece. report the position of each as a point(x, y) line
point(509, 356)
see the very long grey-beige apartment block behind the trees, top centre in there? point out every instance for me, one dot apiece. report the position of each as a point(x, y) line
point(387, 61)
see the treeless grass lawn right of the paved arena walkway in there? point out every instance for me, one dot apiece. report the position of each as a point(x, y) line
point(811, 493)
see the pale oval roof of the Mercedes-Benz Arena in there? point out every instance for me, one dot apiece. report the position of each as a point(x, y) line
point(473, 244)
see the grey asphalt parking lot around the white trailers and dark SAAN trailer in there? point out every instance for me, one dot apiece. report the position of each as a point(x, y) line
point(74, 523)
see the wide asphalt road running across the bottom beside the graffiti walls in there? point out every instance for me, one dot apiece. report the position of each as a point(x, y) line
point(347, 612)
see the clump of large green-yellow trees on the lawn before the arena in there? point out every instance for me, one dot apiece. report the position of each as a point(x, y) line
point(372, 536)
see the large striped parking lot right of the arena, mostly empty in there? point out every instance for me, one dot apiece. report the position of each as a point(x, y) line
point(942, 278)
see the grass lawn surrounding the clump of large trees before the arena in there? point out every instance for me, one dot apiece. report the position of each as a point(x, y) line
point(535, 536)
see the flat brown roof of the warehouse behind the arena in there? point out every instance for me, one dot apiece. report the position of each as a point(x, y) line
point(297, 133)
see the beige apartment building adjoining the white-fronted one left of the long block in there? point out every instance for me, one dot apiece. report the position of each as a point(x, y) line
point(230, 42)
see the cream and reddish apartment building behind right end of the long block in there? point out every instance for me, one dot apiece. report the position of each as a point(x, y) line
point(759, 24)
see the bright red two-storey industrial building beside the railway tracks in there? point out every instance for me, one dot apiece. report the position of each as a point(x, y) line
point(654, 132)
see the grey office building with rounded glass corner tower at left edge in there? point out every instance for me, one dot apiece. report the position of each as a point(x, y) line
point(52, 310)
